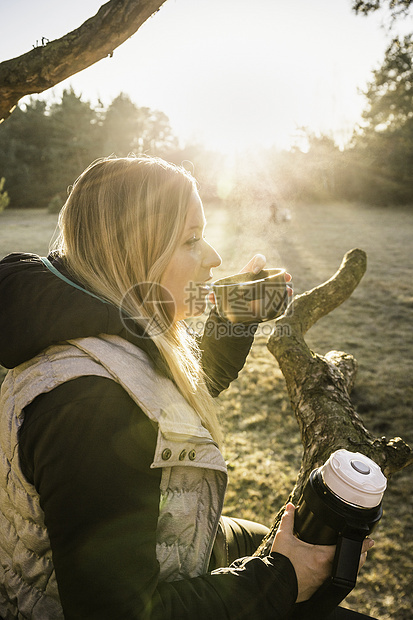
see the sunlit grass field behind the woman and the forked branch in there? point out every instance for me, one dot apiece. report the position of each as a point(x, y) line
point(262, 441)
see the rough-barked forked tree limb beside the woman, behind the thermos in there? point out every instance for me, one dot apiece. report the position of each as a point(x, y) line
point(319, 387)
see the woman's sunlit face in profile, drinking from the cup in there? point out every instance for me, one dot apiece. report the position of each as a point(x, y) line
point(190, 266)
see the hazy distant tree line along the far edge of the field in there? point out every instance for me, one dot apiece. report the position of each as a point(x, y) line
point(43, 148)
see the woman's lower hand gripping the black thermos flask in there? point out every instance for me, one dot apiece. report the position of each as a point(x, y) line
point(312, 563)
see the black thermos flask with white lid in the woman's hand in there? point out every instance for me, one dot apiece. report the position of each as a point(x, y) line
point(340, 505)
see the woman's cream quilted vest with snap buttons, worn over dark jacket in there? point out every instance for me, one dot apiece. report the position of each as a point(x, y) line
point(193, 472)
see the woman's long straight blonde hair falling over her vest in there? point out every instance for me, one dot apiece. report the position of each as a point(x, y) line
point(119, 228)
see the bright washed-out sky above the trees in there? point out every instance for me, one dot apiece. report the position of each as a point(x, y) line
point(231, 74)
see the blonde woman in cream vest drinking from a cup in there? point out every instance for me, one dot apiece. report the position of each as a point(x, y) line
point(111, 474)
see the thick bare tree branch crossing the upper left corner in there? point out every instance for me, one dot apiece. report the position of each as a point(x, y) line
point(47, 65)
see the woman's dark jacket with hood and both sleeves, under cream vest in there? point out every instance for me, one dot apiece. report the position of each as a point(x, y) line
point(87, 448)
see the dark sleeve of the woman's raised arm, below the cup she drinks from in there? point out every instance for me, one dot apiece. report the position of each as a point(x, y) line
point(224, 347)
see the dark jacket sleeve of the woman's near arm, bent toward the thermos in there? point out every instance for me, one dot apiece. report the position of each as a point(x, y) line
point(87, 448)
